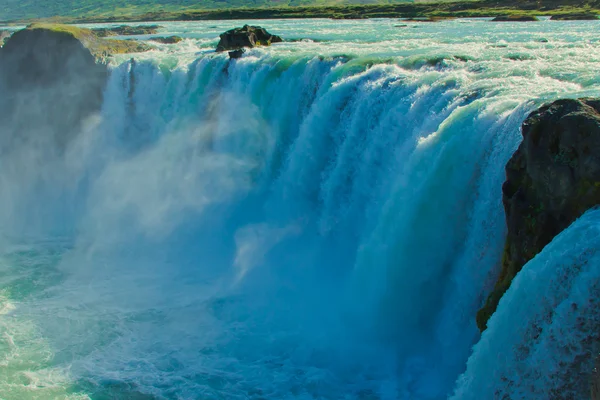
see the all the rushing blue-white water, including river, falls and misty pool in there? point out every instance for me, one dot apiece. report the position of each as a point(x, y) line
point(320, 219)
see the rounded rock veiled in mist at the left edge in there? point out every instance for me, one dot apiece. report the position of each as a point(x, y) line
point(50, 82)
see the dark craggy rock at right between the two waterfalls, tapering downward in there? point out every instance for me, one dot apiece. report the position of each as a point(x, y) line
point(551, 180)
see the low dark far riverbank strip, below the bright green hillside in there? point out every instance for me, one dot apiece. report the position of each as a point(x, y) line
point(433, 11)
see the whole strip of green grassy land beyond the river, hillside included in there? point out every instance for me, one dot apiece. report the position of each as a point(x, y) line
point(81, 11)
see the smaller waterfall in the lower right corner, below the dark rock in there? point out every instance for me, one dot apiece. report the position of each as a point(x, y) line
point(549, 317)
